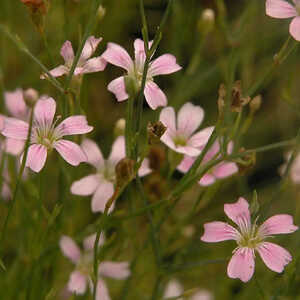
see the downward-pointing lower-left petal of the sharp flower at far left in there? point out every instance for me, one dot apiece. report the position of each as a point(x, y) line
point(36, 157)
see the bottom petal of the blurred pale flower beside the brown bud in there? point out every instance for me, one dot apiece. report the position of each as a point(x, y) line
point(101, 196)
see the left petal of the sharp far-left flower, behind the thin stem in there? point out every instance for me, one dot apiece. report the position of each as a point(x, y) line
point(15, 129)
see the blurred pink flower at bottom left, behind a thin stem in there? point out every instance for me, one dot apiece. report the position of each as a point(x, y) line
point(80, 278)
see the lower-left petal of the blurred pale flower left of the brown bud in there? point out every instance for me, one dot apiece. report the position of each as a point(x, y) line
point(85, 186)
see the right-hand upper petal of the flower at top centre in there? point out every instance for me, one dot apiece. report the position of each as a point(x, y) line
point(165, 64)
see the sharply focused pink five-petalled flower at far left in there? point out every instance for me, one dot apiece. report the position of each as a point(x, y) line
point(46, 136)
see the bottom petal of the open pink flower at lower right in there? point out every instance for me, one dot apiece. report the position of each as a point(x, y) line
point(242, 264)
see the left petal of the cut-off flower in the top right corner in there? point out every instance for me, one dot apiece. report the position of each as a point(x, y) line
point(280, 9)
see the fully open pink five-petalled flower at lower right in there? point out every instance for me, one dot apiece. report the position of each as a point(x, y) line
point(250, 238)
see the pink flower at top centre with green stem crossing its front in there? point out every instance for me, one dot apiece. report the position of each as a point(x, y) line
point(118, 56)
